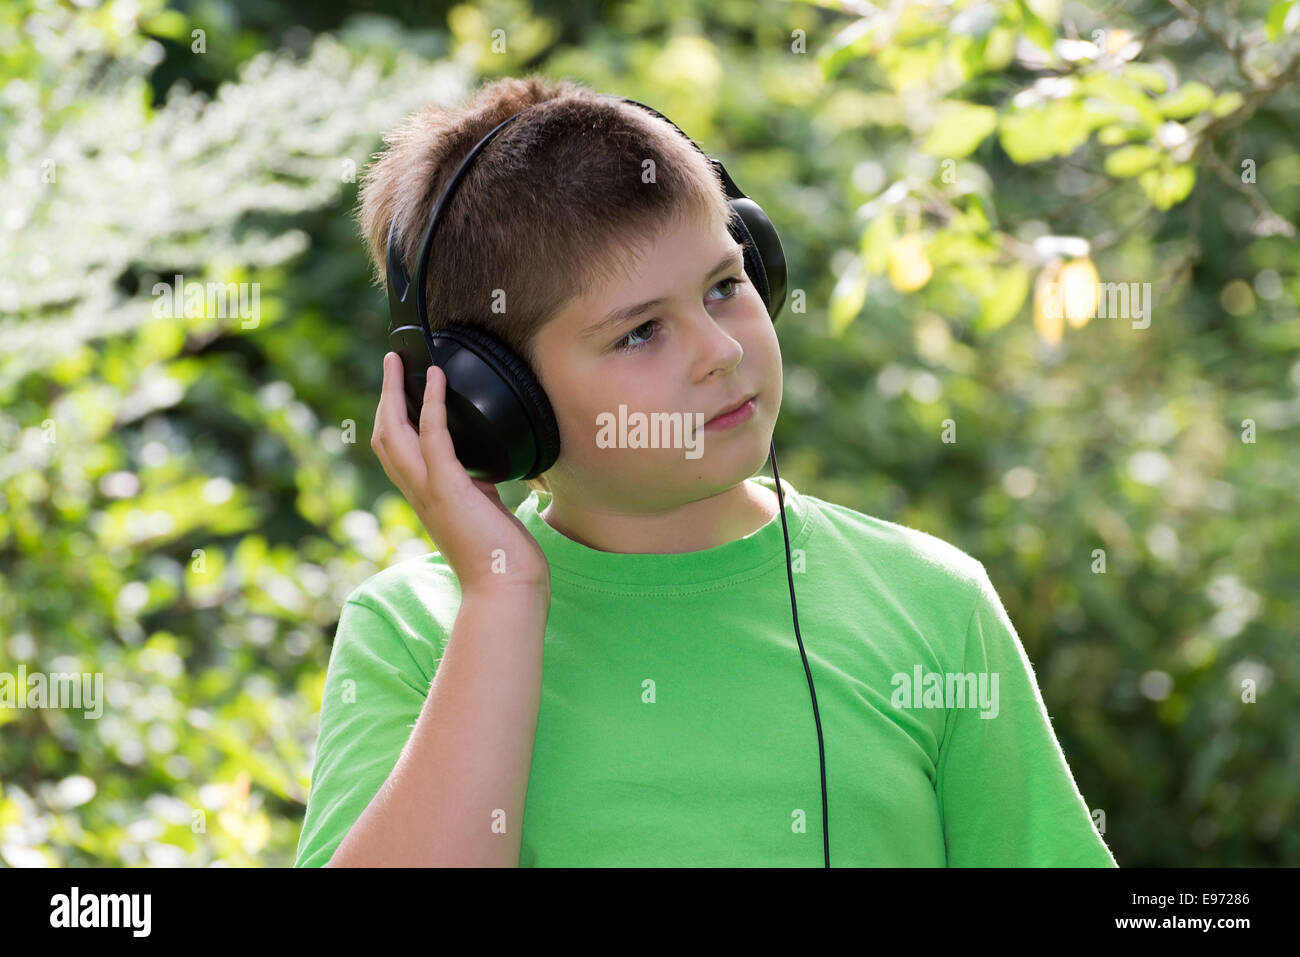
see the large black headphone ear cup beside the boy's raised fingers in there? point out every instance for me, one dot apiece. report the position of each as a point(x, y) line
point(501, 422)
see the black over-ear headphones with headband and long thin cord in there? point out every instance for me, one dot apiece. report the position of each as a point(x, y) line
point(500, 419)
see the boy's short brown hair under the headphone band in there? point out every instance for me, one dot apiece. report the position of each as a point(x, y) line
point(562, 201)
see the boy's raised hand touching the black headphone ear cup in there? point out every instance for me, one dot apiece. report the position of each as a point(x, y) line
point(465, 517)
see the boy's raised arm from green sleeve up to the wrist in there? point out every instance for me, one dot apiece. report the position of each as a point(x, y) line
point(409, 774)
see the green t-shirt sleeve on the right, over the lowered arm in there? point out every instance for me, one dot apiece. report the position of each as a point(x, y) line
point(1006, 791)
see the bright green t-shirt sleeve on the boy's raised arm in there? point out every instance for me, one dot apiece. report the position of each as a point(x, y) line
point(374, 694)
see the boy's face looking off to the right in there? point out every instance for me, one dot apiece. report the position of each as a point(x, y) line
point(705, 348)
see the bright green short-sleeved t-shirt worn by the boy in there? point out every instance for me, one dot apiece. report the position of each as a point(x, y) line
point(677, 726)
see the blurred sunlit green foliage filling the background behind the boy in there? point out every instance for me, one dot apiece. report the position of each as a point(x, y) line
point(187, 497)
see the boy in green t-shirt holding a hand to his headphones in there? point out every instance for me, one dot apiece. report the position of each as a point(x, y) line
point(614, 675)
